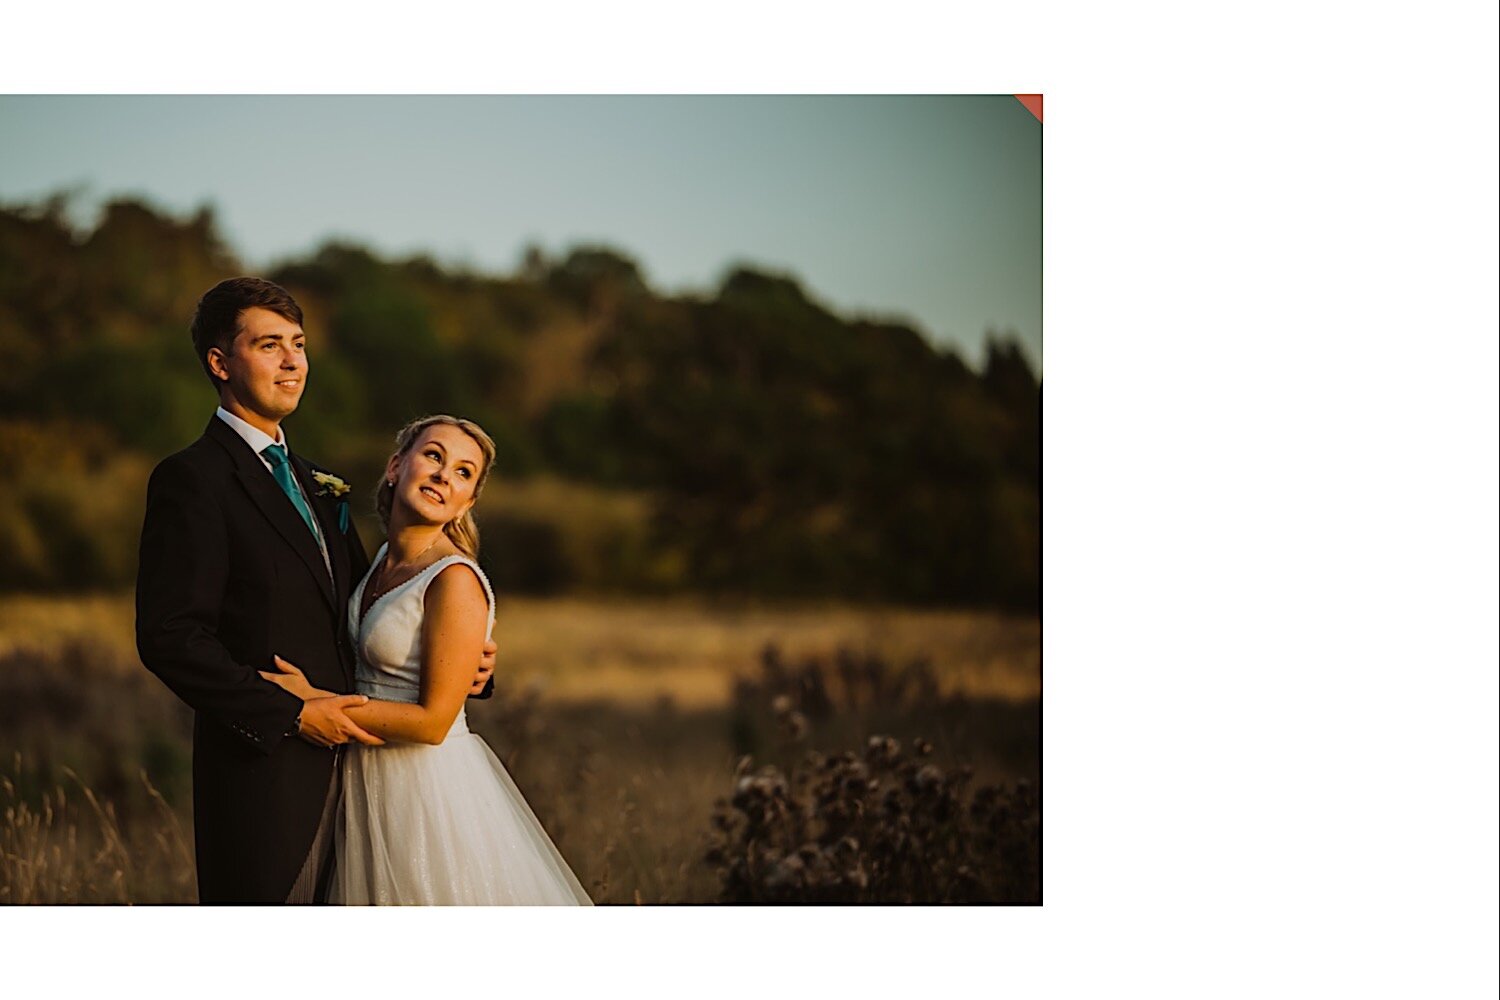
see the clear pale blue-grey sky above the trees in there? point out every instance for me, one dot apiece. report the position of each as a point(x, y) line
point(917, 208)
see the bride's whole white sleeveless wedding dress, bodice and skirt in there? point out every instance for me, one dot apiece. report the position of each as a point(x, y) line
point(433, 825)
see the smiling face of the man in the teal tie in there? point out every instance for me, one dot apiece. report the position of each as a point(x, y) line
point(266, 368)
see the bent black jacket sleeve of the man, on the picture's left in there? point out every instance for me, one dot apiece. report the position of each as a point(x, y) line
point(179, 591)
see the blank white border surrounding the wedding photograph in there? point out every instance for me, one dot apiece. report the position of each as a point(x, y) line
point(1271, 499)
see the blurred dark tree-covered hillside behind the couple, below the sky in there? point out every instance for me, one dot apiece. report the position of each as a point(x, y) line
point(745, 443)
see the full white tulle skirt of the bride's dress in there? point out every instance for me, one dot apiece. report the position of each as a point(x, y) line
point(442, 827)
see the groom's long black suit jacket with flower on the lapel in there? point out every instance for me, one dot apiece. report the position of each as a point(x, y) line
point(230, 576)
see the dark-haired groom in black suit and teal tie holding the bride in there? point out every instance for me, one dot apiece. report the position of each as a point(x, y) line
point(248, 552)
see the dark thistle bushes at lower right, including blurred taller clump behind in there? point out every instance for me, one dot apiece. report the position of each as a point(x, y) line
point(895, 824)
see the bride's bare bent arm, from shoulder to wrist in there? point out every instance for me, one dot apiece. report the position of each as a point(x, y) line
point(454, 632)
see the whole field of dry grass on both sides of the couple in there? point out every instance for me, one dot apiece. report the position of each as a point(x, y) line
point(623, 723)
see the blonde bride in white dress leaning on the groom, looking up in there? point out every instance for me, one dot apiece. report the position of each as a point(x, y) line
point(431, 818)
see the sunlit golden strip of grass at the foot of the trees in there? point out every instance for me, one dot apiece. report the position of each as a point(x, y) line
point(640, 651)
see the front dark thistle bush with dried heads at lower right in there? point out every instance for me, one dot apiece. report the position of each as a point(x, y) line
point(881, 827)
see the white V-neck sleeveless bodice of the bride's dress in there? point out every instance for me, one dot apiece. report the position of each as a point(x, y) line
point(389, 638)
